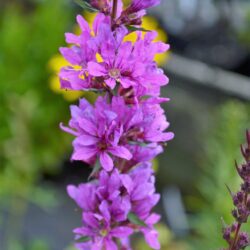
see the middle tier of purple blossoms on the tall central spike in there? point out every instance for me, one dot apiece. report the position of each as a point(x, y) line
point(109, 129)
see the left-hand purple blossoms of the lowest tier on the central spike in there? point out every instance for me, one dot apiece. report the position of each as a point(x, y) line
point(100, 213)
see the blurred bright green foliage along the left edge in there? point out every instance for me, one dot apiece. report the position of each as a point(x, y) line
point(30, 141)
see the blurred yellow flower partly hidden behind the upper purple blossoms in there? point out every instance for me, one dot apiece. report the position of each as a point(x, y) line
point(57, 61)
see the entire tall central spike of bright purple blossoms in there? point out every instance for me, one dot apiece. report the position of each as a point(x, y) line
point(122, 131)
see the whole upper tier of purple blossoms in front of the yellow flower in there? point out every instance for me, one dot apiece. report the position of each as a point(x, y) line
point(100, 59)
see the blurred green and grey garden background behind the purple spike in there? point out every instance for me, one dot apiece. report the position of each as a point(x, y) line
point(209, 69)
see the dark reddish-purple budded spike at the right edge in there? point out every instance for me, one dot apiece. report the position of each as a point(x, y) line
point(236, 239)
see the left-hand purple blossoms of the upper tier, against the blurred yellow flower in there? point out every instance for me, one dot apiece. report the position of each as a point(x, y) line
point(76, 76)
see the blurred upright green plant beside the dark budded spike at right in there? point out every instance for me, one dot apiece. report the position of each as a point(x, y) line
point(222, 148)
